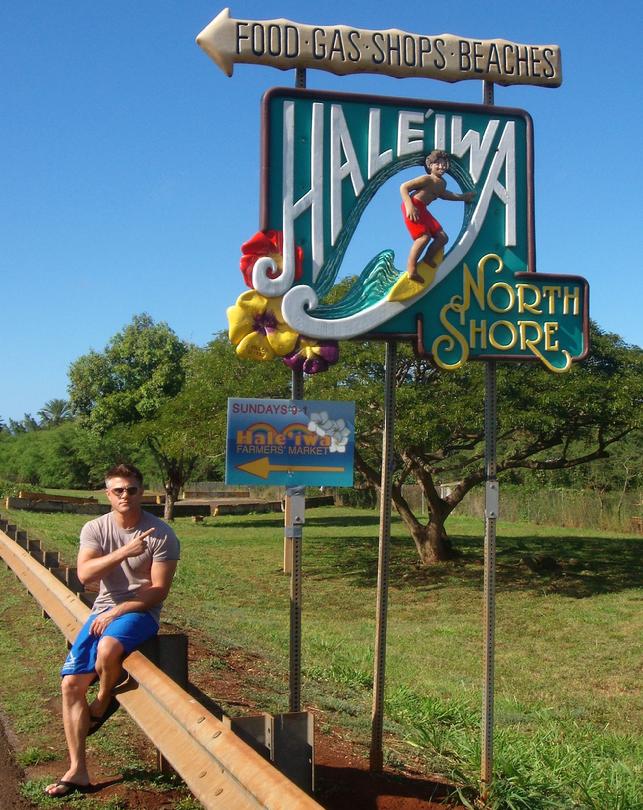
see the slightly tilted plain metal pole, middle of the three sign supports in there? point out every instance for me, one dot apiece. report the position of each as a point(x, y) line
point(377, 717)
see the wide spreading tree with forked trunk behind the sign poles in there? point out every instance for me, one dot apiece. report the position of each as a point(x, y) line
point(546, 422)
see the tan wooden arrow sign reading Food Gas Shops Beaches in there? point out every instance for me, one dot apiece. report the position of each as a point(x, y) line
point(342, 50)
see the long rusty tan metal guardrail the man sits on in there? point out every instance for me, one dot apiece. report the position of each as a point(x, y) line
point(218, 767)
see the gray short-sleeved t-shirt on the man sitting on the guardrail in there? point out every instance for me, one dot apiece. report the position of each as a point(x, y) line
point(122, 582)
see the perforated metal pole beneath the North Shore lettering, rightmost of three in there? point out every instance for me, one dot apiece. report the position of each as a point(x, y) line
point(489, 587)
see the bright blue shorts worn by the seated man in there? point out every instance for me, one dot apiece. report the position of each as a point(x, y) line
point(131, 629)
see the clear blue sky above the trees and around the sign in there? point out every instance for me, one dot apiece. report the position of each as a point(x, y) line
point(129, 162)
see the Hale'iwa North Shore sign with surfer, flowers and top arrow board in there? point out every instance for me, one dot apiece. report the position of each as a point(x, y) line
point(324, 157)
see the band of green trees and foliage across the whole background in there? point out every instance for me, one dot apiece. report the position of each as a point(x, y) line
point(151, 398)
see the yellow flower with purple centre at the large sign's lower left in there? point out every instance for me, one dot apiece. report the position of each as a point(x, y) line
point(257, 328)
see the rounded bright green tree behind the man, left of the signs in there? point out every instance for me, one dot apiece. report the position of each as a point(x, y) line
point(127, 384)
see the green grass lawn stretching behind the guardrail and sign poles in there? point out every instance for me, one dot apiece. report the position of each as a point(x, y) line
point(568, 704)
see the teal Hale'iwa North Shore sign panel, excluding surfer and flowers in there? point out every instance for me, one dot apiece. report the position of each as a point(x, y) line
point(325, 155)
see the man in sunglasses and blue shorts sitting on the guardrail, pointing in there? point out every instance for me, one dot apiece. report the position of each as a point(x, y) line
point(134, 556)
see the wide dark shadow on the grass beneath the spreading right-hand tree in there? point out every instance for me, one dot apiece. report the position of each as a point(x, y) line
point(576, 567)
